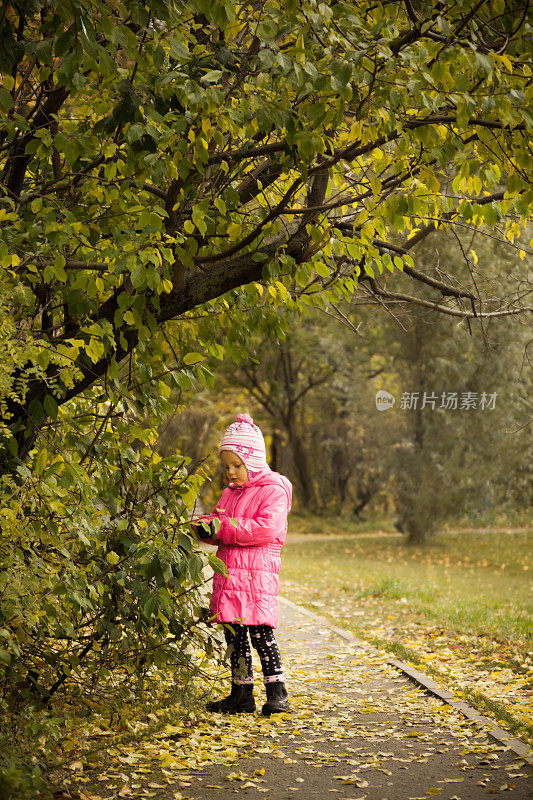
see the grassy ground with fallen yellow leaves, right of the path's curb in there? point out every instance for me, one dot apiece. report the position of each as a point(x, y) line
point(459, 609)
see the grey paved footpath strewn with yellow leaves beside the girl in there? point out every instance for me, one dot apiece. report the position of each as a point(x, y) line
point(360, 730)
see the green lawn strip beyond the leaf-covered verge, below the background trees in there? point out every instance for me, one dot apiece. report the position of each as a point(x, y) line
point(477, 581)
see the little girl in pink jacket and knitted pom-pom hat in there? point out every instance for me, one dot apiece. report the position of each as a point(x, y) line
point(252, 513)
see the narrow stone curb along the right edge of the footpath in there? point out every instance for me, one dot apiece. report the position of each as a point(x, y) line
point(504, 737)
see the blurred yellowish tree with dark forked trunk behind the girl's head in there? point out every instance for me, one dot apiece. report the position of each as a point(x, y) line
point(309, 390)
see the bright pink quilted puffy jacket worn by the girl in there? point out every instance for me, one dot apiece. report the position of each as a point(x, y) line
point(251, 549)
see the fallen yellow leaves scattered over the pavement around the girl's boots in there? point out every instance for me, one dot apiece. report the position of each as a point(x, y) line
point(171, 763)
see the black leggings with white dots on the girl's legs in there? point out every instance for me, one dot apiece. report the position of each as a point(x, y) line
point(262, 637)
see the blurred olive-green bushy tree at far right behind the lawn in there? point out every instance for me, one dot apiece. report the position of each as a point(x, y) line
point(466, 454)
